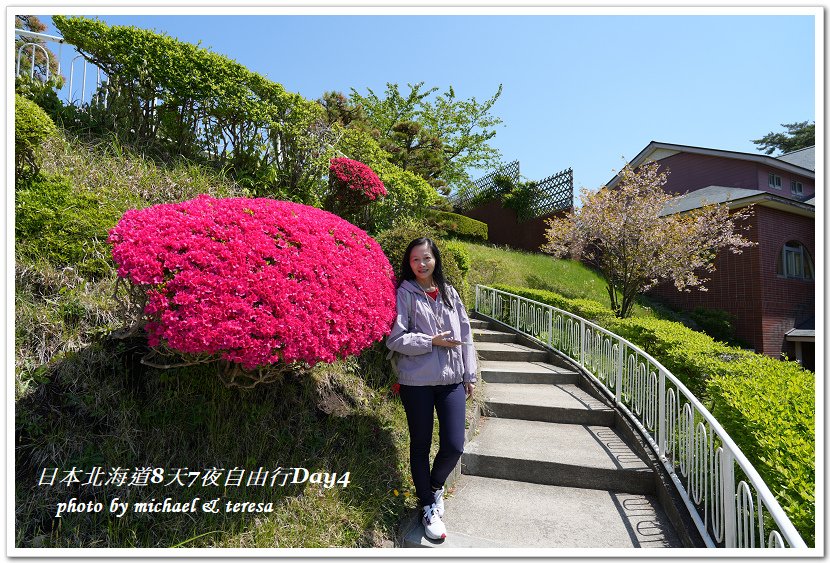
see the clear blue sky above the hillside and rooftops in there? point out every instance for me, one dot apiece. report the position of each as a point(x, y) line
point(579, 91)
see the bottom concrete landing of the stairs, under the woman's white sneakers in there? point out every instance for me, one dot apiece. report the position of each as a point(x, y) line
point(483, 512)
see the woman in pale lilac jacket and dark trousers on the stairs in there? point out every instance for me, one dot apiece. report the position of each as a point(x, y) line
point(436, 371)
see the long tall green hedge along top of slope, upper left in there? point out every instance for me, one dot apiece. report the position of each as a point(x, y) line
point(207, 107)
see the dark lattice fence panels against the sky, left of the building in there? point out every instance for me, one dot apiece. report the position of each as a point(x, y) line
point(554, 193)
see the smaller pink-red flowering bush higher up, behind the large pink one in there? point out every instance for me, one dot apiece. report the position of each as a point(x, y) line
point(352, 186)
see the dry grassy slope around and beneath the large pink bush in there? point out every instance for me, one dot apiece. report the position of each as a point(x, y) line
point(84, 399)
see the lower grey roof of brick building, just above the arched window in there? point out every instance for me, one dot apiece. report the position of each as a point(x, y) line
point(735, 197)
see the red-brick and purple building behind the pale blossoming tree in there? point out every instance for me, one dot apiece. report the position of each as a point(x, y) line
point(769, 288)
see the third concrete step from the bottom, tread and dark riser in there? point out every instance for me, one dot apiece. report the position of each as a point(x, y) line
point(563, 403)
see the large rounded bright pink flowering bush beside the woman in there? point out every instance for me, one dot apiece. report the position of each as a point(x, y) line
point(255, 281)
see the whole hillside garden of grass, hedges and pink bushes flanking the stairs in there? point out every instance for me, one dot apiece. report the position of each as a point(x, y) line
point(203, 280)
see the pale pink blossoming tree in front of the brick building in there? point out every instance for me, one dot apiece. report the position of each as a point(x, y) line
point(630, 234)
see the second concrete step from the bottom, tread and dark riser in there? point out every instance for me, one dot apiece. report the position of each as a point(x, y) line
point(570, 455)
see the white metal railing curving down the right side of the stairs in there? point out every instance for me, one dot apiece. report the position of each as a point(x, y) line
point(727, 499)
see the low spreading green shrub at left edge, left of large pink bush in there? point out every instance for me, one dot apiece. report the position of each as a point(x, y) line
point(63, 226)
